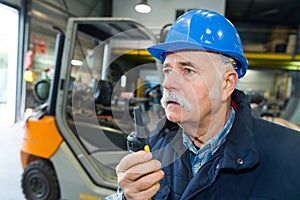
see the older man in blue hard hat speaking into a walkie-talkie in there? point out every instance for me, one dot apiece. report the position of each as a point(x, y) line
point(209, 146)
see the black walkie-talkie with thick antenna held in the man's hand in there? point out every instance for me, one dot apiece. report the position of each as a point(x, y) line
point(138, 140)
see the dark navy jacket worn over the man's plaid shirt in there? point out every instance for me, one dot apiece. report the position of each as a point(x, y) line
point(259, 160)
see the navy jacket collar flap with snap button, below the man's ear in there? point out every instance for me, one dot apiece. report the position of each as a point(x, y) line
point(240, 150)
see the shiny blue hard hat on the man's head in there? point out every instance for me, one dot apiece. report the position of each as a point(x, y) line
point(203, 30)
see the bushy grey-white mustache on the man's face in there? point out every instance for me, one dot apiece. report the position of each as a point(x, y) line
point(175, 97)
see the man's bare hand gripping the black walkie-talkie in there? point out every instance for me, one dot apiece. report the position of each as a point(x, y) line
point(138, 175)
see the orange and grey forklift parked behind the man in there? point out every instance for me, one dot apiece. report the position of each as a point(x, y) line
point(77, 135)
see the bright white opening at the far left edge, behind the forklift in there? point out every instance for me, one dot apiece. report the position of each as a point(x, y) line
point(8, 61)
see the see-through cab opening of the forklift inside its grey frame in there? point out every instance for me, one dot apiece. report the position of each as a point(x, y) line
point(115, 74)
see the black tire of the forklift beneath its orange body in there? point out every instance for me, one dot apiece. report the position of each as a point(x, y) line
point(39, 181)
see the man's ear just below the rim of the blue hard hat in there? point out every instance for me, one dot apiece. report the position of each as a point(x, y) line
point(230, 79)
